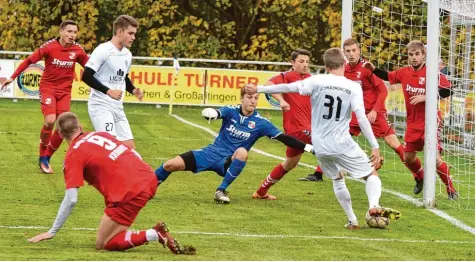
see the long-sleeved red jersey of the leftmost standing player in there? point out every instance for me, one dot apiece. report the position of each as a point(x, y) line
point(59, 65)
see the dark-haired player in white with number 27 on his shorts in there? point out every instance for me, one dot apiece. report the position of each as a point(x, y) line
point(107, 73)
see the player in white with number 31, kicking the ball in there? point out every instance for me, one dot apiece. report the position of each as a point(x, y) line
point(333, 99)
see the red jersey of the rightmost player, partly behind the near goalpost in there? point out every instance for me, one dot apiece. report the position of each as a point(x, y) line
point(413, 84)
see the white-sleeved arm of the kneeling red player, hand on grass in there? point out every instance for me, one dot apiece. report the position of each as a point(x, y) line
point(69, 201)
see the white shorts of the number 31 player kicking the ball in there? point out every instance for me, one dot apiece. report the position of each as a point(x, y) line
point(354, 161)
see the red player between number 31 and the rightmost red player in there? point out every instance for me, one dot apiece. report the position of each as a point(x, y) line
point(375, 93)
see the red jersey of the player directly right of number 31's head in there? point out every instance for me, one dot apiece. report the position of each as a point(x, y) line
point(374, 90)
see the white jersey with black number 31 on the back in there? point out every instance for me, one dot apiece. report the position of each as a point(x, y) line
point(333, 98)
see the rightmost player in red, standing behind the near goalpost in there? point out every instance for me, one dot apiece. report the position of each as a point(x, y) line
point(413, 81)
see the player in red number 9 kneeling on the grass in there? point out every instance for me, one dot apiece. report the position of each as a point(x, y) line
point(119, 174)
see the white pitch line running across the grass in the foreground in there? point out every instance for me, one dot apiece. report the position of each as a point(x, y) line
point(226, 234)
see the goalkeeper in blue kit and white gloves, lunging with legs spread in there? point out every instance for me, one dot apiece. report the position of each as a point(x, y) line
point(241, 127)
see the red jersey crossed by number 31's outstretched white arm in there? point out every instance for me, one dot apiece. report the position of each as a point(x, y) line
point(298, 118)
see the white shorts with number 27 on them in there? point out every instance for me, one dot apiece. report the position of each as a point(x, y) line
point(107, 119)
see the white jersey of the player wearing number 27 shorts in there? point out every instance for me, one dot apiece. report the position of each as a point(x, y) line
point(111, 66)
